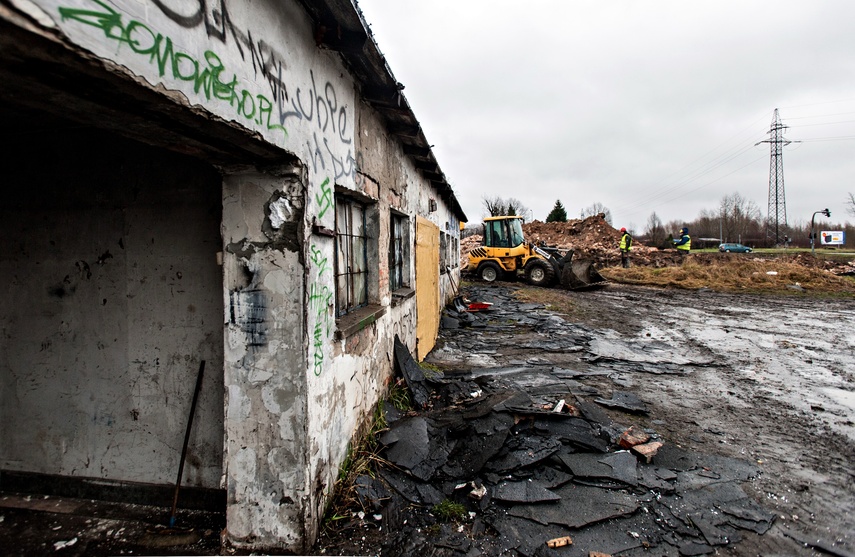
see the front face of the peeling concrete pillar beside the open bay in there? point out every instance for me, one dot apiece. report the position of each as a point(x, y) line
point(265, 358)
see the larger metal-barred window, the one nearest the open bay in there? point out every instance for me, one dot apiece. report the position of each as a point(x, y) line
point(351, 271)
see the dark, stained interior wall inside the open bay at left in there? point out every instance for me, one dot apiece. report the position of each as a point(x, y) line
point(112, 296)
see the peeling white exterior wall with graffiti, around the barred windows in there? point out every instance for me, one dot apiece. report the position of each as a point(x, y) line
point(298, 388)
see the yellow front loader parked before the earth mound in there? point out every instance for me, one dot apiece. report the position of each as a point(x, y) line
point(505, 253)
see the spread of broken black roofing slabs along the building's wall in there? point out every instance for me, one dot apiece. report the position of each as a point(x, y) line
point(539, 463)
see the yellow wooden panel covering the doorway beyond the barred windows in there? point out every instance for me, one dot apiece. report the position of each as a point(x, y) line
point(427, 286)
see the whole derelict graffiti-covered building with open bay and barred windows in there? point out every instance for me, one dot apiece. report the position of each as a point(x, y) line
point(235, 183)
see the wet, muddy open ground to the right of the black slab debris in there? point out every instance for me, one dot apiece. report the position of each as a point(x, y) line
point(778, 389)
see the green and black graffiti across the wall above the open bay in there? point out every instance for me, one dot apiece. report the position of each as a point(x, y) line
point(288, 100)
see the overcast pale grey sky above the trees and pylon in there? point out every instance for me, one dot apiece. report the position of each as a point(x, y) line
point(641, 106)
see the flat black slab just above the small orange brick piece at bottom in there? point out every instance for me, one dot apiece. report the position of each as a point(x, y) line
point(579, 506)
